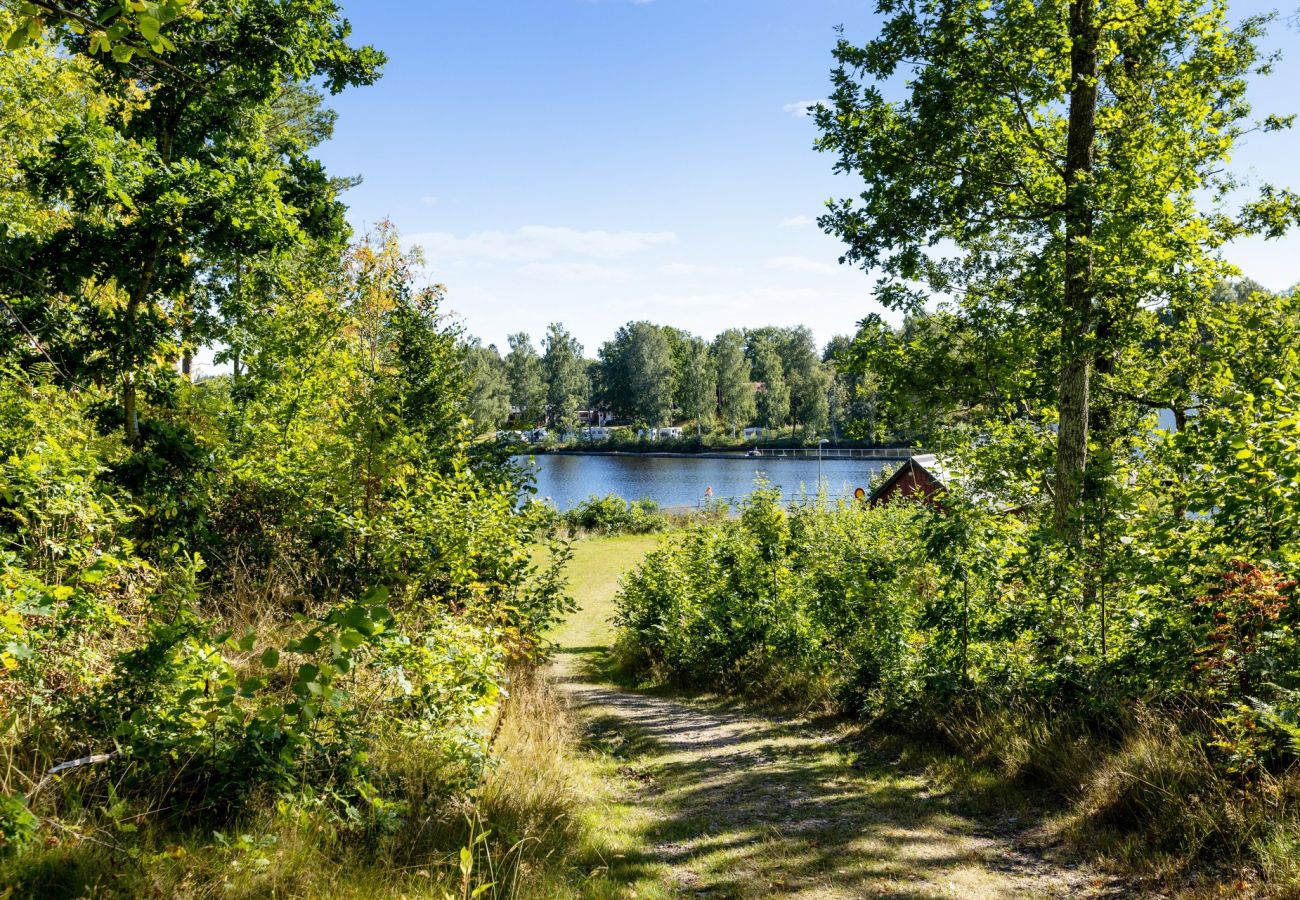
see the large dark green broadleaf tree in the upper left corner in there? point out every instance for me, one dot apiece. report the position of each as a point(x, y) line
point(161, 191)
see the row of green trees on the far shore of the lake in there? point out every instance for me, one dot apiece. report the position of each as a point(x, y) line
point(657, 375)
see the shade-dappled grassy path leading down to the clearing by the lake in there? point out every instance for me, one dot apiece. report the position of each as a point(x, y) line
point(722, 801)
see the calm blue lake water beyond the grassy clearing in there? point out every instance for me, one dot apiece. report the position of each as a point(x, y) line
point(683, 481)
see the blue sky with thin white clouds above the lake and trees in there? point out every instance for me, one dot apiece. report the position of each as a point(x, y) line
point(595, 162)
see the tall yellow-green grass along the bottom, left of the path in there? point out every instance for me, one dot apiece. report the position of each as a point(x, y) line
point(519, 834)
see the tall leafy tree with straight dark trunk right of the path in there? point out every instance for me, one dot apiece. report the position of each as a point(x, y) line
point(1063, 183)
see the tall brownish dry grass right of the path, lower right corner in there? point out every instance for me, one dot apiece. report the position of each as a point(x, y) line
point(1143, 797)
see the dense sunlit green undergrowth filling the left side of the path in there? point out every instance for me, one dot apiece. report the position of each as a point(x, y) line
point(280, 629)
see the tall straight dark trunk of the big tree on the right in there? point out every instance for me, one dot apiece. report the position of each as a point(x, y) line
point(1078, 308)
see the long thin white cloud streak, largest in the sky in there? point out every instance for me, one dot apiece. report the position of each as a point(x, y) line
point(534, 244)
